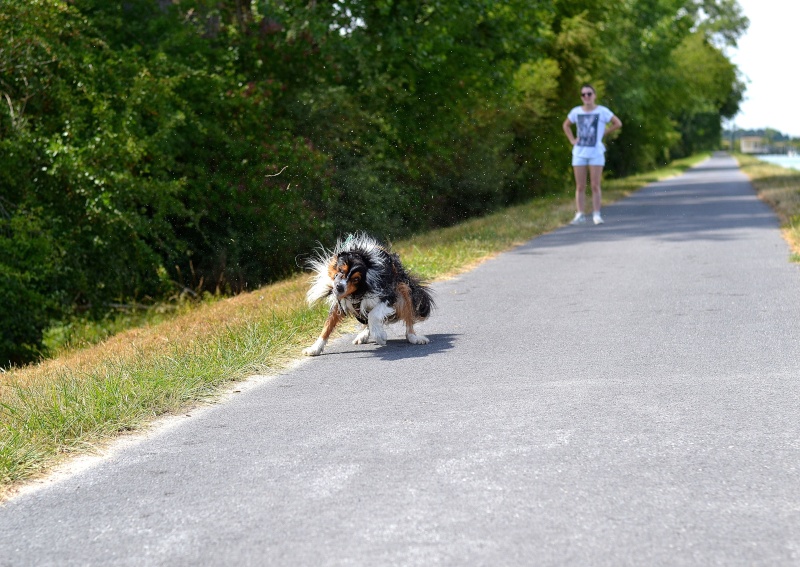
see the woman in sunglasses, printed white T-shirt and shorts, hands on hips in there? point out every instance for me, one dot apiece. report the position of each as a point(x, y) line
point(588, 152)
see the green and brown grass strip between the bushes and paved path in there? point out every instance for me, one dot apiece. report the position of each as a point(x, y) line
point(79, 401)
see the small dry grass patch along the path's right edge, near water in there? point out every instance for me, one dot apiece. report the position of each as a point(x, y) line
point(779, 187)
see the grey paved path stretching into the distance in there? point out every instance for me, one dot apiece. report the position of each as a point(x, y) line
point(617, 395)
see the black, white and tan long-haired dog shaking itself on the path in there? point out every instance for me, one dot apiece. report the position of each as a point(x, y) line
point(361, 278)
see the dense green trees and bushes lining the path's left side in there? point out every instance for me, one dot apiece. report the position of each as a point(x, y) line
point(151, 147)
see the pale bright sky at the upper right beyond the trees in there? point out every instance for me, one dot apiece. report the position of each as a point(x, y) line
point(768, 55)
